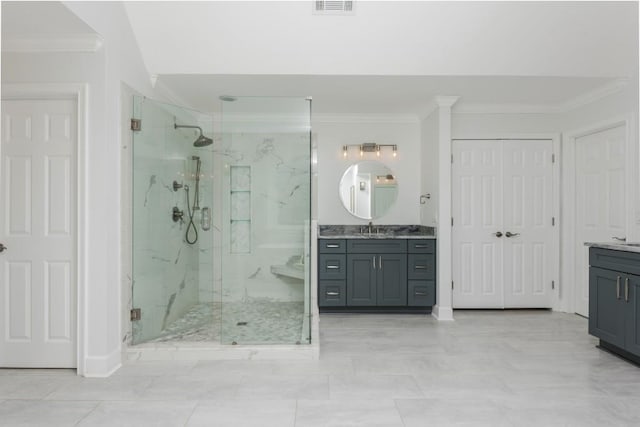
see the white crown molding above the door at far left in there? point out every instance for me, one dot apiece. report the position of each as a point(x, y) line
point(52, 43)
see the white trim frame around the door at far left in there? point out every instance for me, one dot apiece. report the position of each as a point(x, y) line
point(79, 93)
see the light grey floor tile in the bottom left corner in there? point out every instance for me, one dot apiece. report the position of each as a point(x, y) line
point(43, 412)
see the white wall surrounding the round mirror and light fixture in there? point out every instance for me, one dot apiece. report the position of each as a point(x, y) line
point(331, 133)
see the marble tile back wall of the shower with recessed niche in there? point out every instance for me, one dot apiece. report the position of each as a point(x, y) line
point(274, 170)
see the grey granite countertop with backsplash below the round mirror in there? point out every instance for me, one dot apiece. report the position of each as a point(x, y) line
point(378, 232)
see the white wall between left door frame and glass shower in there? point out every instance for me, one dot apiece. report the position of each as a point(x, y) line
point(117, 61)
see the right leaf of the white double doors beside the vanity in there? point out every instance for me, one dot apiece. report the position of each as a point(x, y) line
point(528, 212)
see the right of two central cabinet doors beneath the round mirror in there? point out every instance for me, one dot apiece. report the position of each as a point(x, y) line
point(392, 279)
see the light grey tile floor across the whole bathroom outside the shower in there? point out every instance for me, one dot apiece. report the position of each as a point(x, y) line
point(513, 368)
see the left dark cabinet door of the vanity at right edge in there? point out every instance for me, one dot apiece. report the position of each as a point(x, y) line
point(606, 305)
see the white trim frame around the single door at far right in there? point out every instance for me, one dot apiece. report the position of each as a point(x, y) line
point(569, 208)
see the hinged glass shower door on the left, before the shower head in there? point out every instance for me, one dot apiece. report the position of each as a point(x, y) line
point(172, 273)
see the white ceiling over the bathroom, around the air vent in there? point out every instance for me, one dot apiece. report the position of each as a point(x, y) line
point(389, 57)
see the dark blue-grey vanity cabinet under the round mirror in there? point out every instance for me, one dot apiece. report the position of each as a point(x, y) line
point(376, 273)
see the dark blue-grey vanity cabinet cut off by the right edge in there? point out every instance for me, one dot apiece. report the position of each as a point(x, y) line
point(614, 300)
